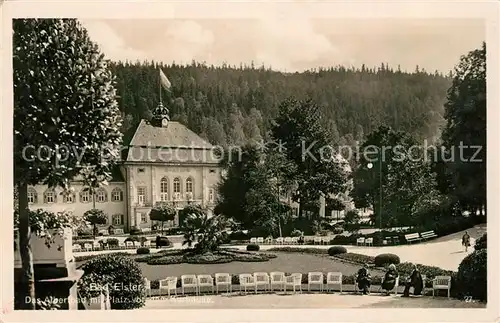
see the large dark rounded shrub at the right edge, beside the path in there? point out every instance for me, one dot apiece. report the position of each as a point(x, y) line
point(471, 277)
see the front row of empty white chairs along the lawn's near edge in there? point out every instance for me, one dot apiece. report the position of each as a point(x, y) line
point(259, 280)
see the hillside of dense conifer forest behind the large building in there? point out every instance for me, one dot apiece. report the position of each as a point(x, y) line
point(232, 105)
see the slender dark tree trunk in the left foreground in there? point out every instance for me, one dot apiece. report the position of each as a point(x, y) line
point(28, 276)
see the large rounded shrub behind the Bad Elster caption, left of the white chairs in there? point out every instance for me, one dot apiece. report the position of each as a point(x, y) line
point(114, 270)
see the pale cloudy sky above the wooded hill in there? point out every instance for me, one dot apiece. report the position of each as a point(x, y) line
point(292, 45)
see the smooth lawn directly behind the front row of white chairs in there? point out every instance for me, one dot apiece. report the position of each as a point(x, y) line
point(286, 262)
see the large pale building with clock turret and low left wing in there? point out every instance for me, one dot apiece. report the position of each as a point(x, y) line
point(165, 163)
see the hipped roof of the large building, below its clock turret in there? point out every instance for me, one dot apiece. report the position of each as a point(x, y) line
point(174, 143)
